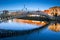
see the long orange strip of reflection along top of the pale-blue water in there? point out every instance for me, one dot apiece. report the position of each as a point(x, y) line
point(30, 22)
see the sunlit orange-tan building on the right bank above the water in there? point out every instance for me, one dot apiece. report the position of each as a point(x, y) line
point(53, 11)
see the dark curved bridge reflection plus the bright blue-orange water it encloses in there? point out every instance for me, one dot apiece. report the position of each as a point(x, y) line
point(16, 27)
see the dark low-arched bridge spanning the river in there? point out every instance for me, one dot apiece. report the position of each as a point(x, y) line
point(38, 16)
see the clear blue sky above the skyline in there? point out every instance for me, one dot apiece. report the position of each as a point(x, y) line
point(30, 4)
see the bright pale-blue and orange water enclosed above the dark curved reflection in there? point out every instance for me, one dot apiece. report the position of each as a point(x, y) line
point(21, 24)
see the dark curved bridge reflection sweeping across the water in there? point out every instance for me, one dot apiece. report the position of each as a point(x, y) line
point(10, 33)
